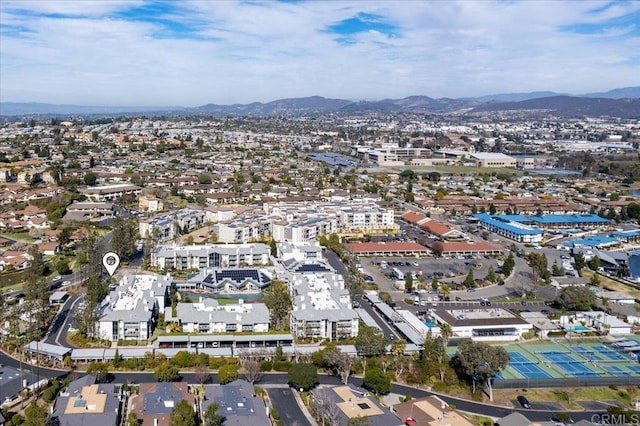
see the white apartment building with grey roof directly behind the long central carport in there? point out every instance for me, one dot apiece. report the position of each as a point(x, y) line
point(207, 316)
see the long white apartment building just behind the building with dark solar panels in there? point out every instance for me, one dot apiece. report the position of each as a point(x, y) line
point(210, 256)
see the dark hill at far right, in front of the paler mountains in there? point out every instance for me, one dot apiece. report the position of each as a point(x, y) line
point(571, 106)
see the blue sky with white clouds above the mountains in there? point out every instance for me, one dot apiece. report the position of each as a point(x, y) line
point(191, 53)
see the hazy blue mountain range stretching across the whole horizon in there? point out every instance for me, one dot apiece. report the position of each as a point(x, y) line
point(622, 103)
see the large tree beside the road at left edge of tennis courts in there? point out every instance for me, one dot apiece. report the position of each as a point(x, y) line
point(479, 361)
